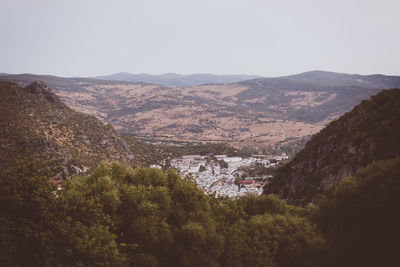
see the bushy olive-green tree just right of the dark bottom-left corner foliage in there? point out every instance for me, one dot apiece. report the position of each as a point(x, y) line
point(87, 209)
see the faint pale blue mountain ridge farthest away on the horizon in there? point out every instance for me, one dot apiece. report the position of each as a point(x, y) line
point(173, 79)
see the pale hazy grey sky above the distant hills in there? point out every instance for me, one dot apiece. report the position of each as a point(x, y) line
point(271, 38)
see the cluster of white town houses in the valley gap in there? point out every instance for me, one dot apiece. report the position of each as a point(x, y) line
point(222, 175)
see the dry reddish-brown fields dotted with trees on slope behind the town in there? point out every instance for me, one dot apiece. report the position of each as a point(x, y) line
point(207, 113)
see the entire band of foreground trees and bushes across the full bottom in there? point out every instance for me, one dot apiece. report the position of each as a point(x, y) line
point(118, 217)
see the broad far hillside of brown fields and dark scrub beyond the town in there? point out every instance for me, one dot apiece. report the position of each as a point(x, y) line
point(265, 113)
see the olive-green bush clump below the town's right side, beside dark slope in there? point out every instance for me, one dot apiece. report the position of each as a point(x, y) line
point(265, 231)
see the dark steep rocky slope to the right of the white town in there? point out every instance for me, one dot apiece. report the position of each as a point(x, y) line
point(369, 132)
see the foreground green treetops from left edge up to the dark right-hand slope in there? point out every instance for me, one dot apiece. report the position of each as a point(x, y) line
point(116, 216)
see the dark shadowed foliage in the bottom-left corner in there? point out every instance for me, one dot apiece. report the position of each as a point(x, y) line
point(26, 215)
